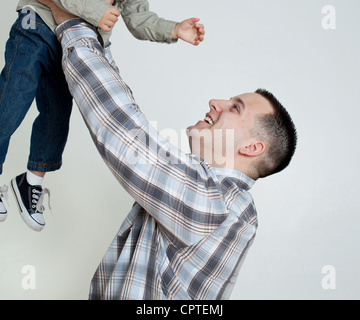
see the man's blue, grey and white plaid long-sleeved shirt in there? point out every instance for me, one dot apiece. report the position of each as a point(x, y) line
point(192, 223)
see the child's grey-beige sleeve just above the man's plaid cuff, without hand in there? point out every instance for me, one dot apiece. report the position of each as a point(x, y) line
point(89, 10)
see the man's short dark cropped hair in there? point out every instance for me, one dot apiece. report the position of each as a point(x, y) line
point(279, 132)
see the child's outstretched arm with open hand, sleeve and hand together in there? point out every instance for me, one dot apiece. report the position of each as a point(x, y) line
point(146, 25)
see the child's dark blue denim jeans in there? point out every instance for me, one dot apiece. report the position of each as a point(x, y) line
point(33, 70)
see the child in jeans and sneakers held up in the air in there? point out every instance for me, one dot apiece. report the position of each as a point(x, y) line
point(33, 70)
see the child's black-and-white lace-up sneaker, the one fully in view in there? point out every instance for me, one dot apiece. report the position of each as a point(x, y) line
point(30, 200)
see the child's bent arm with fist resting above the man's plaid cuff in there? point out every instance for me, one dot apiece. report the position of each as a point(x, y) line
point(97, 12)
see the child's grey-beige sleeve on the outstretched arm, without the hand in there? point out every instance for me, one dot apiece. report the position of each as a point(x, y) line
point(144, 24)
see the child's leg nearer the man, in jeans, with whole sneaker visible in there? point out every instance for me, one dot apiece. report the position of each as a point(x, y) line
point(48, 138)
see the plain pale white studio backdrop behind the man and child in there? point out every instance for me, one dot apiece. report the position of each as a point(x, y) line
point(308, 215)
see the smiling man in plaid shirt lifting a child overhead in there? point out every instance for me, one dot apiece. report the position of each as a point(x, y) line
point(193, 220)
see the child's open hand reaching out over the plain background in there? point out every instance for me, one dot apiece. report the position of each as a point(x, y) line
point(190, 31)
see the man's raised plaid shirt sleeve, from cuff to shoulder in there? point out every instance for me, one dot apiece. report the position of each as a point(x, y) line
point(178, 192)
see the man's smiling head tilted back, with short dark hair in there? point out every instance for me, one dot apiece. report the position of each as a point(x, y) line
point(252, 133)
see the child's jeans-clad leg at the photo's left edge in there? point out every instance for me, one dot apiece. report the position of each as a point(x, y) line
point(18, 82)
